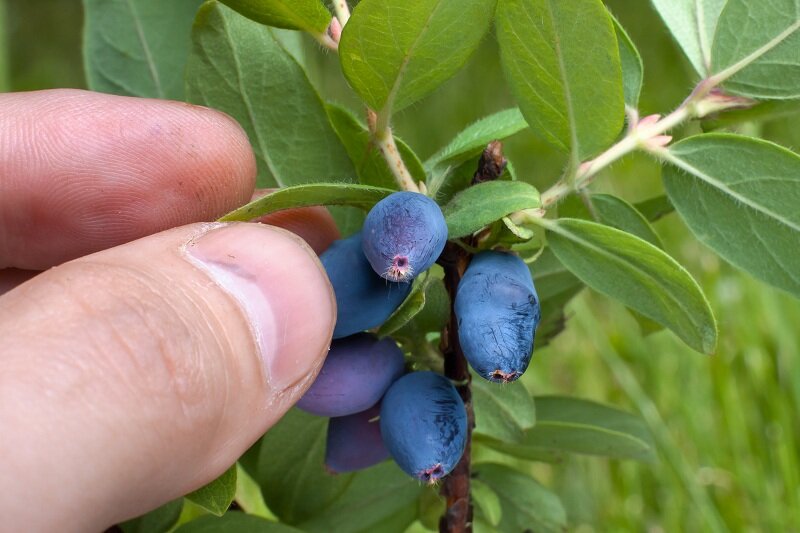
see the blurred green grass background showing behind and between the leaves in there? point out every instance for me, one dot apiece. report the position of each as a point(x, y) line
point(726, 426)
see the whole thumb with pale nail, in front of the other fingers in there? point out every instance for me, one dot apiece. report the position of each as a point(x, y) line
point(135, 375)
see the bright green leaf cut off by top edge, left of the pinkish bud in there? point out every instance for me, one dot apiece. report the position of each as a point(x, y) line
point(307, 15)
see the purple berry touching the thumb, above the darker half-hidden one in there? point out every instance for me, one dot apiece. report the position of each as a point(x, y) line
point(356, 373)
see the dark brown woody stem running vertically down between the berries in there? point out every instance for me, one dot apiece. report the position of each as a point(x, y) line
point(456, 486)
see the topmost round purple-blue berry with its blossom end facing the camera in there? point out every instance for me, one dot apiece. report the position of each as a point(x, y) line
point(403, 235)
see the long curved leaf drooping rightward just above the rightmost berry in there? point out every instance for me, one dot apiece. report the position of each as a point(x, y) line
point(638, 274)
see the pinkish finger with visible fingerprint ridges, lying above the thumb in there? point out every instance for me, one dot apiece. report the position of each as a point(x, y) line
point(82, 171)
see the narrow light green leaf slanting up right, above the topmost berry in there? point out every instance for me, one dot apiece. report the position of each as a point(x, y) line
point(472, 140)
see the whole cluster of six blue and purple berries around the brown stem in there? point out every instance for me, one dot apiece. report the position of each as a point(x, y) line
point(422, 419)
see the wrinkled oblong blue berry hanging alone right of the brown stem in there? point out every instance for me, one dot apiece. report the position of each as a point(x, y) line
point(497, 311)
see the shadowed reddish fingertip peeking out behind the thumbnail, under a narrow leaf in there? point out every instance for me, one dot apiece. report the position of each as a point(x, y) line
point(314, 224)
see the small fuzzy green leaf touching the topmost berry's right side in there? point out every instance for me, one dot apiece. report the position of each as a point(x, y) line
point(478, 206)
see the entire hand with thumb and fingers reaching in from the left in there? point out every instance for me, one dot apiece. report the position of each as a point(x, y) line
point(155, 348)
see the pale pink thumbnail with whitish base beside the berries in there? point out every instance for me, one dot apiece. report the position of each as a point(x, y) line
point(282, 289)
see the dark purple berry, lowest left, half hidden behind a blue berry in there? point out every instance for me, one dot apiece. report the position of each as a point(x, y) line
point(354, 442)
